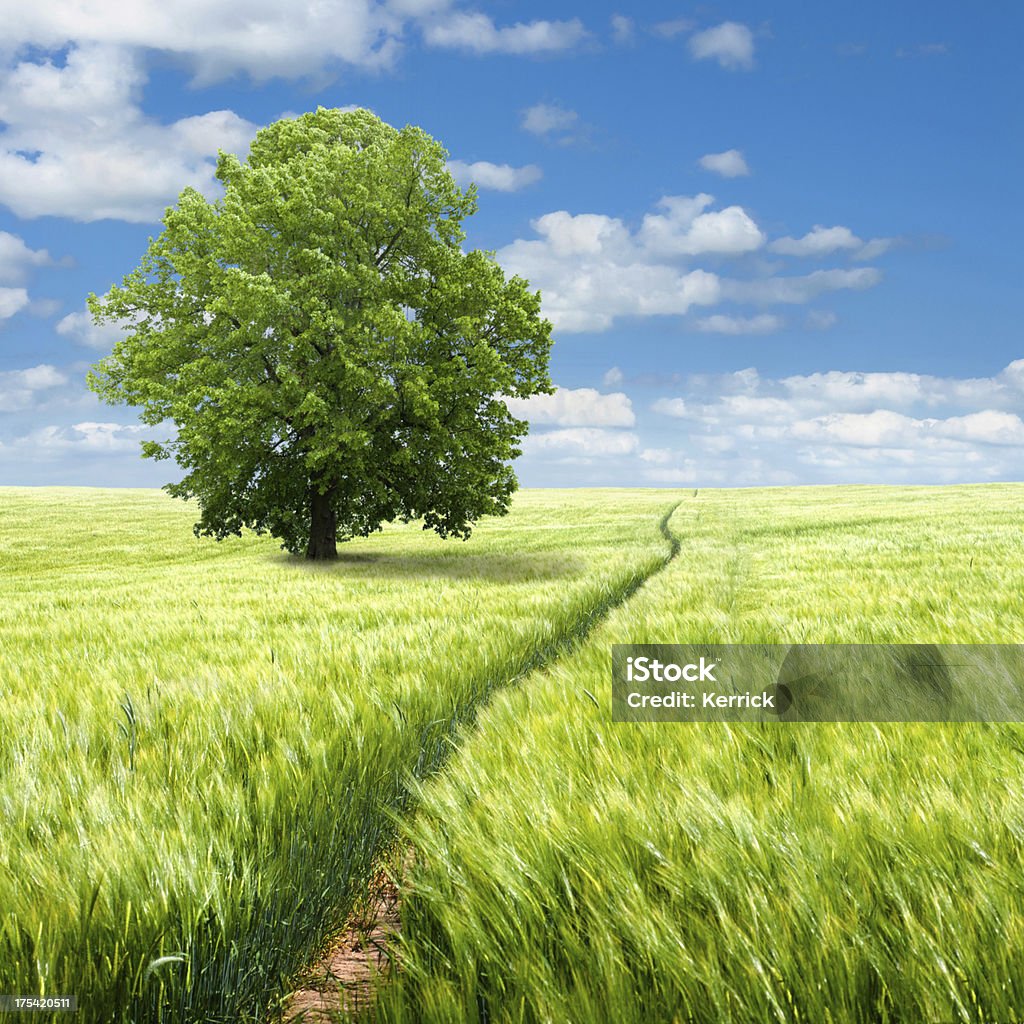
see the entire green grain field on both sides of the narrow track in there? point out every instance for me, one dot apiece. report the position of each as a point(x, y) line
point(209, 748)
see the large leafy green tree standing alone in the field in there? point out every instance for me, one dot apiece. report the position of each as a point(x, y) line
point(331, 358)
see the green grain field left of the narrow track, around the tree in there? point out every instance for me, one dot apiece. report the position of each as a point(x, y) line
point(205, 746)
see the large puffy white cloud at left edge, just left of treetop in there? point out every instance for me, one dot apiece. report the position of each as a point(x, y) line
point(77, 144)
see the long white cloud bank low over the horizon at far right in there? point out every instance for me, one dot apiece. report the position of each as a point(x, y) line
point(846, 426)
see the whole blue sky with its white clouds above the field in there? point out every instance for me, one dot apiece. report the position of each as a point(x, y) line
point(781, 244)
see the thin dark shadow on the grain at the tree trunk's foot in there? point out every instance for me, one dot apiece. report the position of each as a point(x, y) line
point(523, 567)
